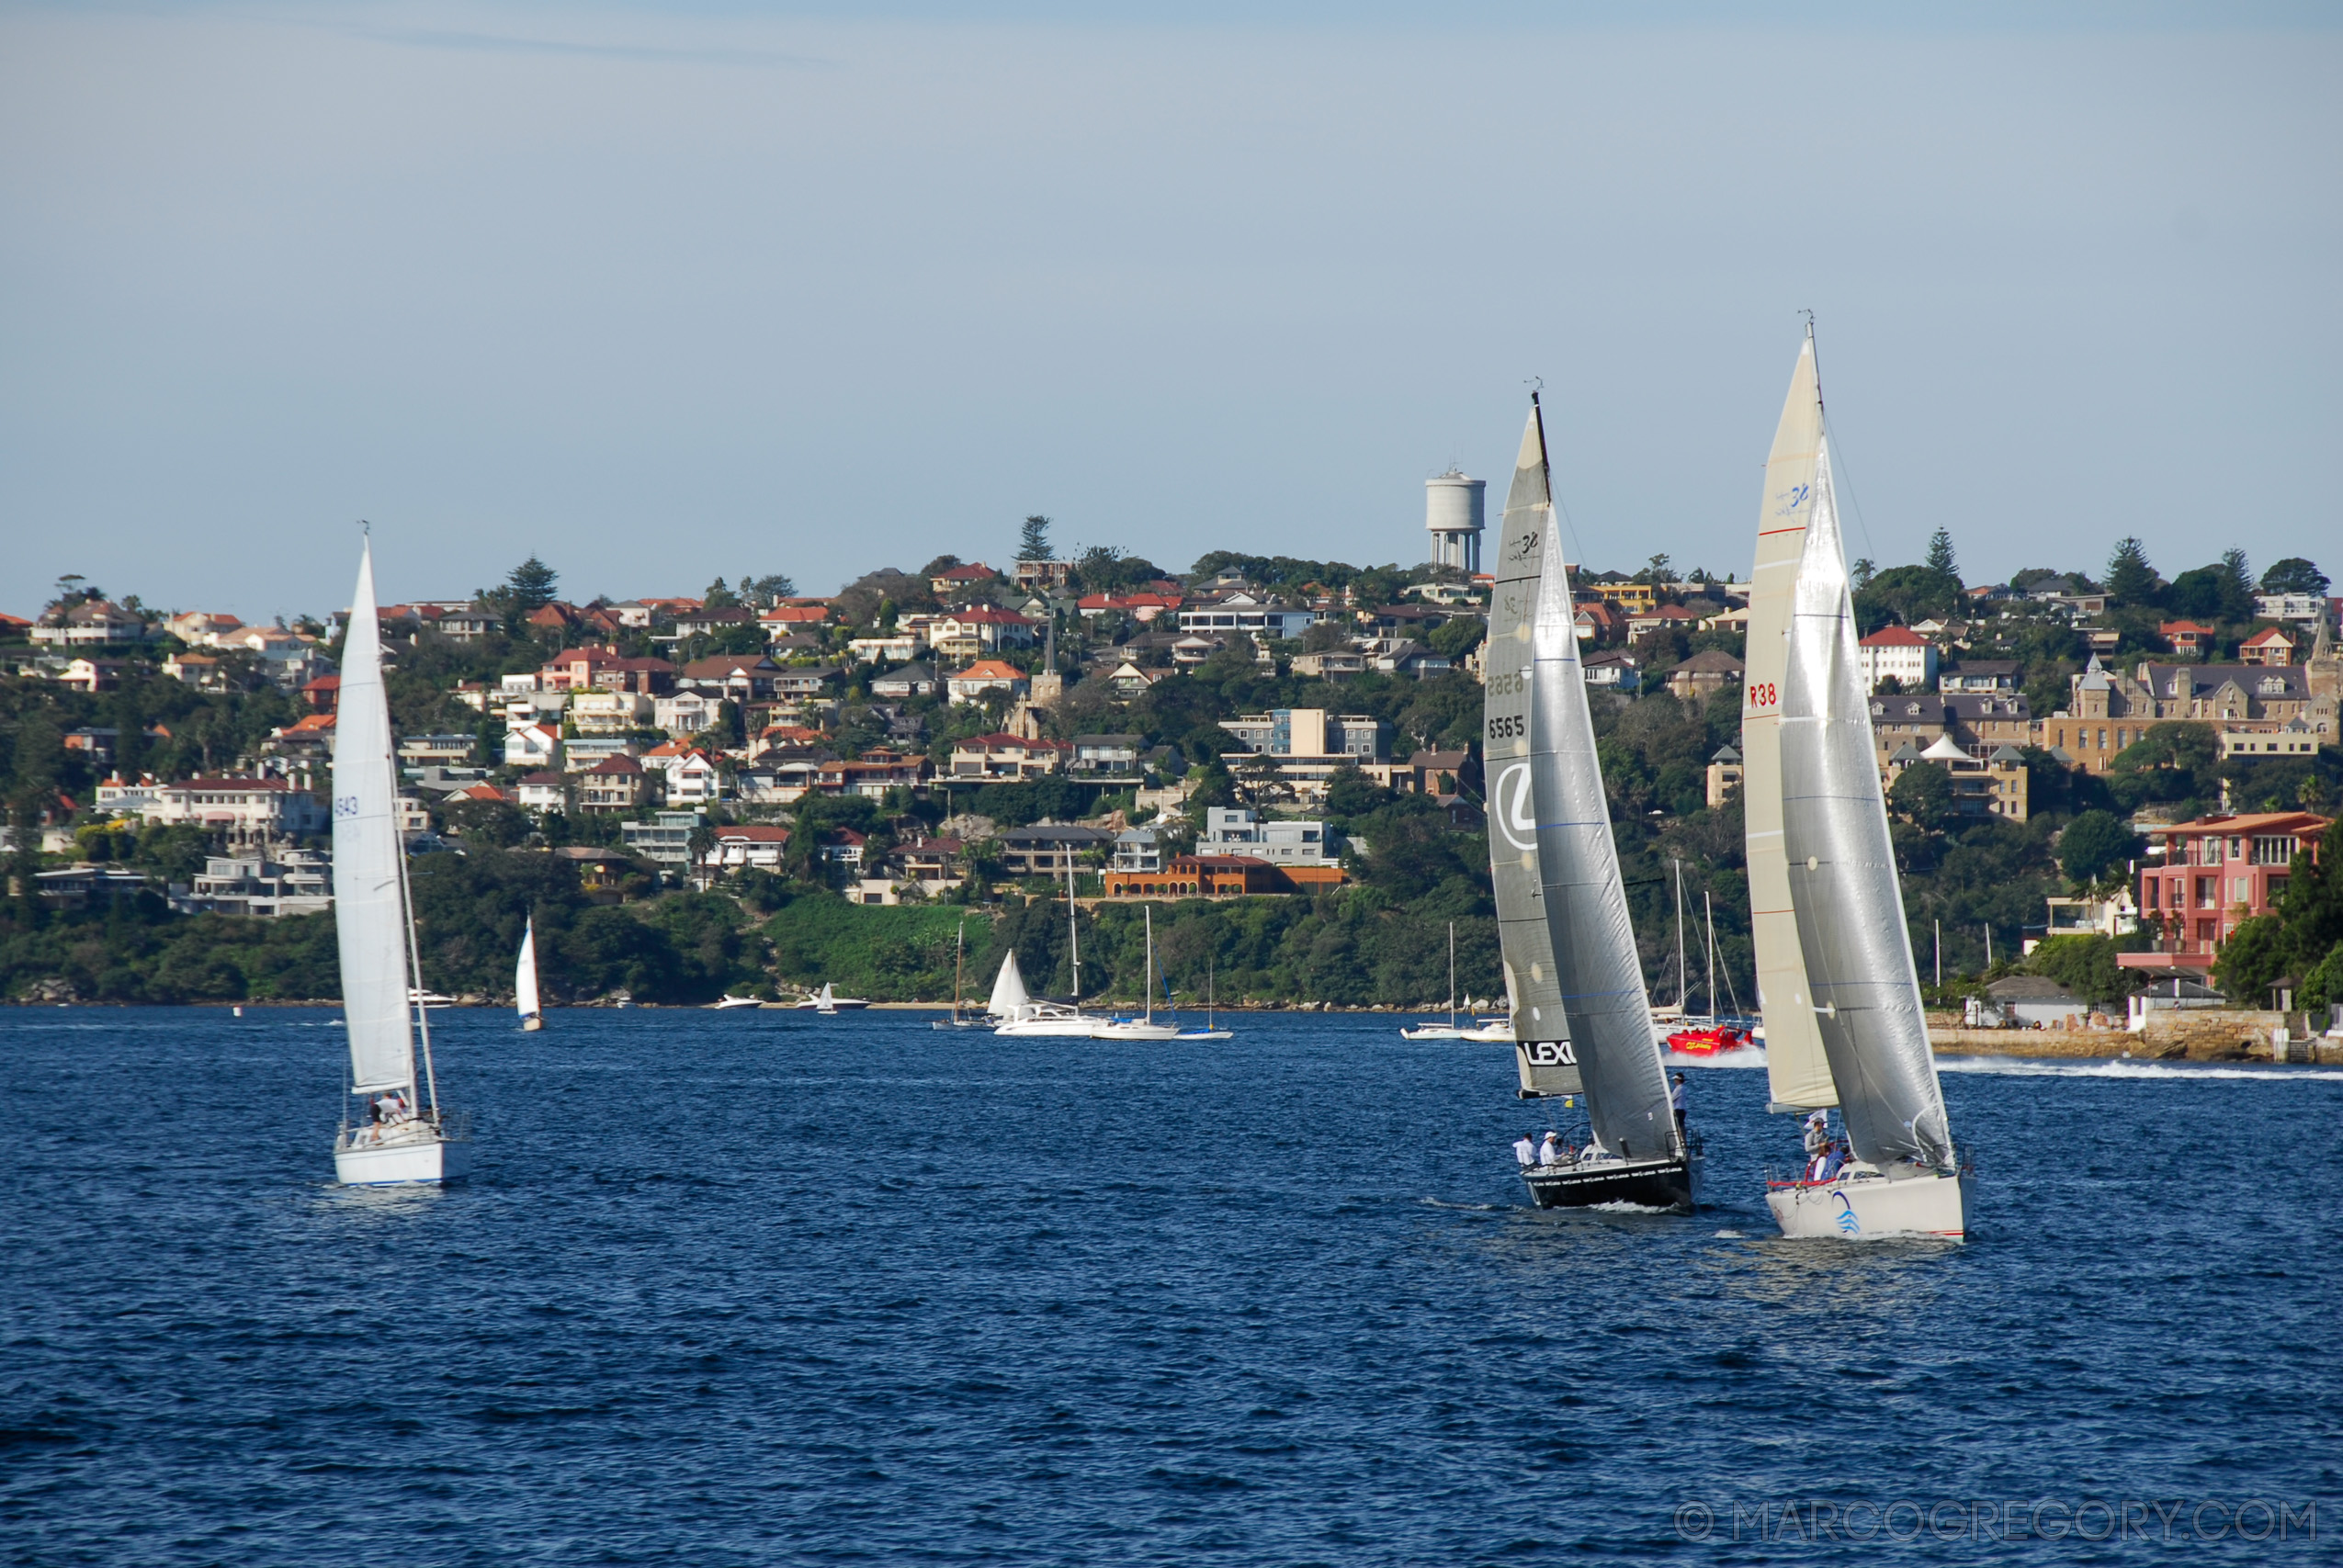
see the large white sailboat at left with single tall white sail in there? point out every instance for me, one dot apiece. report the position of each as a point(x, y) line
point(404, 1138)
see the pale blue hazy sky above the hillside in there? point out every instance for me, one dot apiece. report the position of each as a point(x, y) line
point(674, 292)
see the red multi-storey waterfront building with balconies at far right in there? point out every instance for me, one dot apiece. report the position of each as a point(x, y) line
point(2218, 873)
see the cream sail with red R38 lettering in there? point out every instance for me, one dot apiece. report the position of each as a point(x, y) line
point(1798, 1075)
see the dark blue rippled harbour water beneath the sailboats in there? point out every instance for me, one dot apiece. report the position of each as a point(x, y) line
point(760, 1288)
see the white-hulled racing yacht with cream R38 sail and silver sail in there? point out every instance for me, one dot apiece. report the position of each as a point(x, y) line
point(1836, 974)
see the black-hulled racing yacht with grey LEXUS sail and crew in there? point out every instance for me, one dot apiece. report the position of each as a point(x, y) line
point(1552, 836)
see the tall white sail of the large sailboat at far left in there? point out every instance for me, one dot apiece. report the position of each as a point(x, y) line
point(369, 889)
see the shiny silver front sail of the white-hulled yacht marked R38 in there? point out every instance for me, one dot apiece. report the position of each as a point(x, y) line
point(1843, 871)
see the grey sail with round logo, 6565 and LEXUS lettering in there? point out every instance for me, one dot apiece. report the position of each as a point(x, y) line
point(1541, 1028)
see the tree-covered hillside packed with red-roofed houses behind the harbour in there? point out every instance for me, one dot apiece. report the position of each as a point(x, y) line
point(760, 791)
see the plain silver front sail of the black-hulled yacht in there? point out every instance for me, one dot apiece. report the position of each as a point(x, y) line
point(1590, 934)
